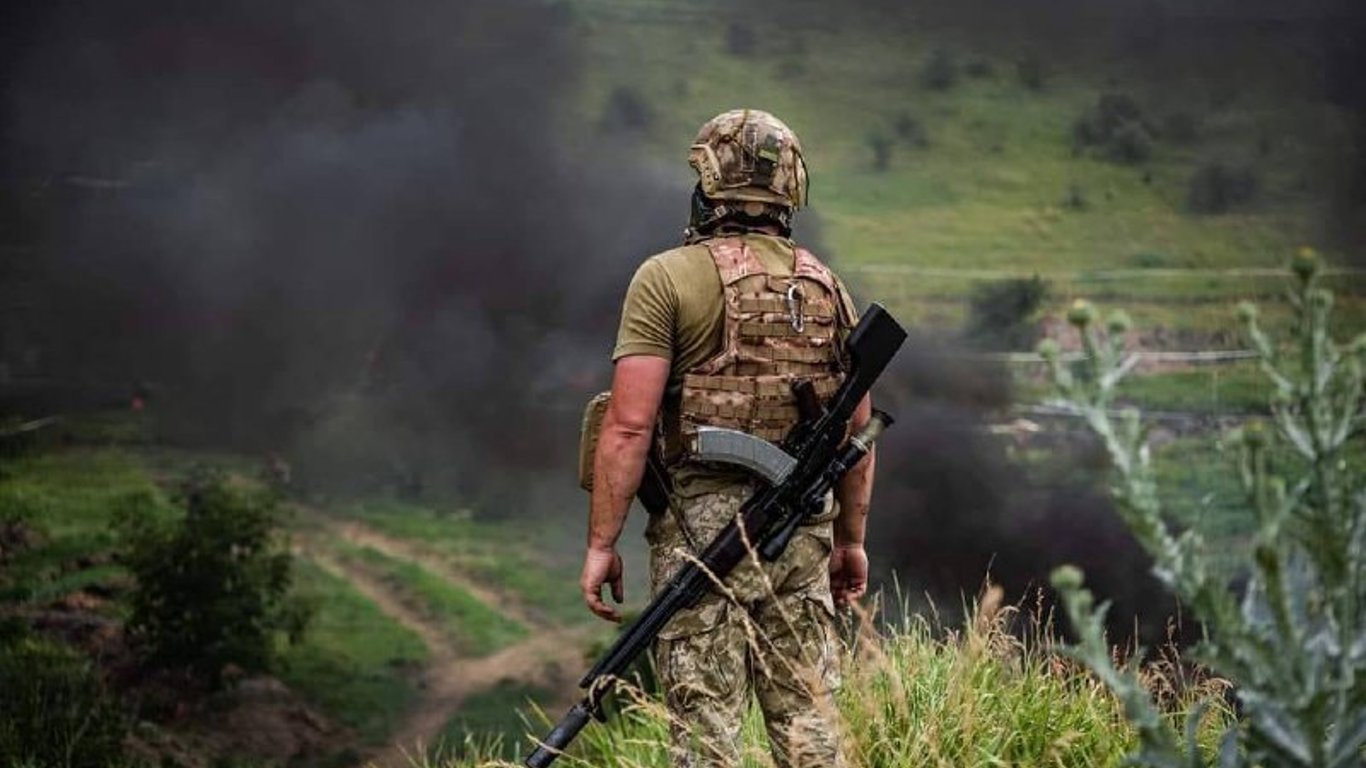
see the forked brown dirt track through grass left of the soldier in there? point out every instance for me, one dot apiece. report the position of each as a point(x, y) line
point(550, 658)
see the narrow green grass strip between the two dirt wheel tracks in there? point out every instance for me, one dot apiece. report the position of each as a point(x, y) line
point(475, 628)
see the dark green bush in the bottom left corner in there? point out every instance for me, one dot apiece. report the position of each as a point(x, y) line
point(55, 710)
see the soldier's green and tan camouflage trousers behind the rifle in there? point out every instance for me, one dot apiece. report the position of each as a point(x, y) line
point(770, 631)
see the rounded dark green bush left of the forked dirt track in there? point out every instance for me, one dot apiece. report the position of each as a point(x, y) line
point(212, 588)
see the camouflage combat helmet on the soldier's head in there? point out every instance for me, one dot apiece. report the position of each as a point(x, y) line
point(749, 155)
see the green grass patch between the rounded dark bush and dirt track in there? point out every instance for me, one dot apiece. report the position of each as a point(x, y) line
point(354, 663)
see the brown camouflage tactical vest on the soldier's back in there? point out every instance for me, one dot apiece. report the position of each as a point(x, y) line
point(778, 330)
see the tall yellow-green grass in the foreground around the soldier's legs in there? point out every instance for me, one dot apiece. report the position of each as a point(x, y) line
point(917, 696)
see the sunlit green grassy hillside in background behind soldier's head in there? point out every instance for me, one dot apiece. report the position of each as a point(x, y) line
point(990, 189)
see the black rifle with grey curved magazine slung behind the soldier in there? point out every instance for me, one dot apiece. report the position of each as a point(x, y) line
point(813, 458)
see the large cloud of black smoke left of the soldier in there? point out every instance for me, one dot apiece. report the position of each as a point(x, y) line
point(363, 236)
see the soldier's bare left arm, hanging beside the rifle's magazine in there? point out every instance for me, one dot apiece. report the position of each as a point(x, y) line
point(624, 445)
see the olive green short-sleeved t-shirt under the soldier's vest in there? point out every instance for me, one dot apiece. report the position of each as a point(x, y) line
point(675, 310)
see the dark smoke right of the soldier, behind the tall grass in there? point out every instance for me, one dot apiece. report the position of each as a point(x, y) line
point(954, 508)
